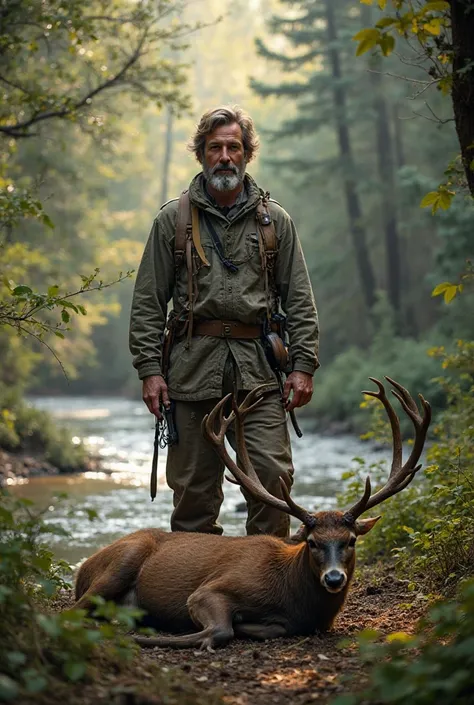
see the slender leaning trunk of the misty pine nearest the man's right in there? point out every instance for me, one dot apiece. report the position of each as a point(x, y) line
point(354, 210)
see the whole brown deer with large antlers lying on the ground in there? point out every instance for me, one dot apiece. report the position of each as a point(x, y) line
point(252, 586)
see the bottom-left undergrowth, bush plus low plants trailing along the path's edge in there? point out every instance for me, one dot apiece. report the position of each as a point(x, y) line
point(49, 656)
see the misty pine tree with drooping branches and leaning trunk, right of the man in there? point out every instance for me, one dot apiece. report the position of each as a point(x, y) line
point(320, 54)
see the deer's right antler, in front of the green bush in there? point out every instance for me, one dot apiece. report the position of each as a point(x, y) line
point(400, 475)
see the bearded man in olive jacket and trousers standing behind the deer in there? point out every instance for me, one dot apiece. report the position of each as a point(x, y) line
point(226, 292)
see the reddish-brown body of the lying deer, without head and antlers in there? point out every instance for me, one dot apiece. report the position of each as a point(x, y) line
point(257, 580)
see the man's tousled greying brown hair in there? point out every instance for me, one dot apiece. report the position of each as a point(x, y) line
point(225, 116)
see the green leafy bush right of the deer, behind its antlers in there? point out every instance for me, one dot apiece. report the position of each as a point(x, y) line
point(430, 525)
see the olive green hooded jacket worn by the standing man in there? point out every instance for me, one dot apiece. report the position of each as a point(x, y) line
point(196, 370)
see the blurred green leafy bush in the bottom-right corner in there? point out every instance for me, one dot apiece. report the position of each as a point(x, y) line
point(433, 666)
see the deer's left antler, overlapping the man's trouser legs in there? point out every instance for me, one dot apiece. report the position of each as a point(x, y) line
point(247, 478)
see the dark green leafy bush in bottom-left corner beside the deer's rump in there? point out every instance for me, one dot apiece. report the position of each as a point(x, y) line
point(40, 648)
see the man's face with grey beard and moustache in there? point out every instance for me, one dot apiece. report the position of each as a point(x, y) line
point(224, 161)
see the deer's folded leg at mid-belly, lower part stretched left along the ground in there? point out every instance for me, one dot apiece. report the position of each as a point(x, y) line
point(208, 609)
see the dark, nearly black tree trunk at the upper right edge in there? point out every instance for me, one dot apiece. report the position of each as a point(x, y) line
point(462, 19)
